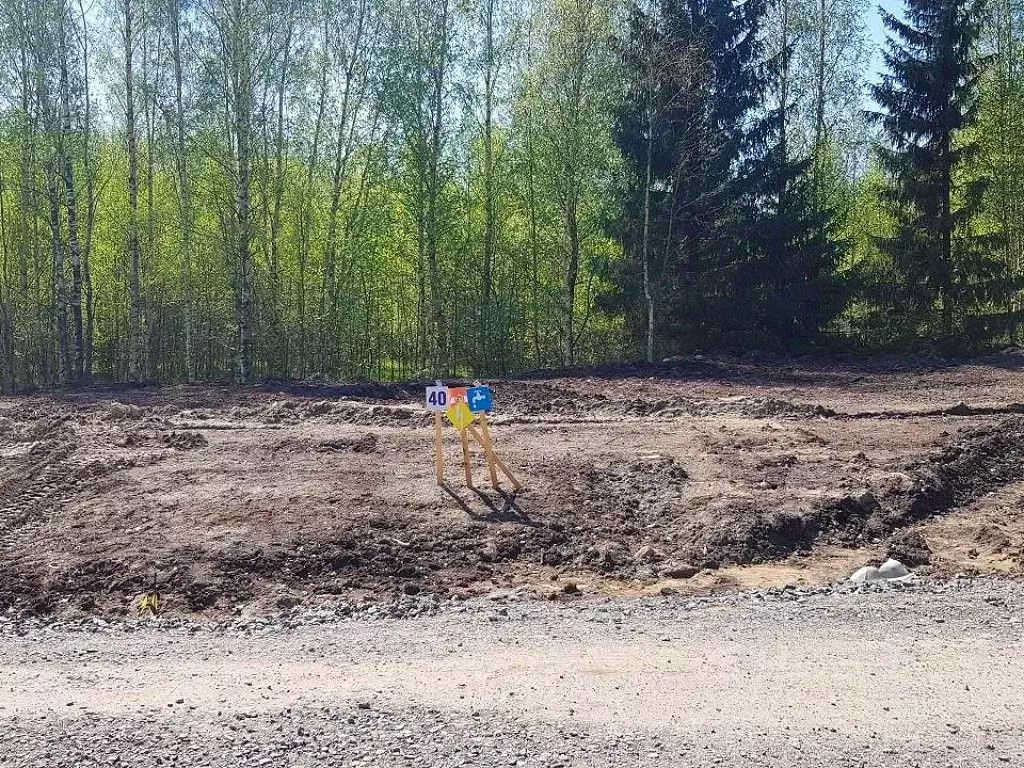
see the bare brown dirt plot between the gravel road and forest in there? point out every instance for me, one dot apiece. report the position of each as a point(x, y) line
point(693, 475)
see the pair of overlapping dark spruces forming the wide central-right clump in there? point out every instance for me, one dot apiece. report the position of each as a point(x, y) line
point(730, 248)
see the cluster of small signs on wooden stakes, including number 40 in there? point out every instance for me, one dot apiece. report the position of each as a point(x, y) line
point(463, 406)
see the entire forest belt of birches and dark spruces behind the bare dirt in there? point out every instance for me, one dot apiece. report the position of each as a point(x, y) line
point(394, 189)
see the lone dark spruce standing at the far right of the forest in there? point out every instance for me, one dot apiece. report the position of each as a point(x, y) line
point(946, 266)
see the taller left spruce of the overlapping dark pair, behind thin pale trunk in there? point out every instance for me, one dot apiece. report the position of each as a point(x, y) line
point(685, 127)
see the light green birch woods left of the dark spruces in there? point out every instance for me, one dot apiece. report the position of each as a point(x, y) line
point(366, 202)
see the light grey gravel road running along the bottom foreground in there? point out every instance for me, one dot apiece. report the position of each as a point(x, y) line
point(923, 675)
